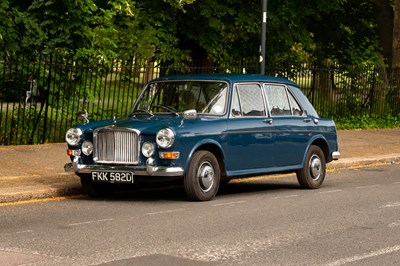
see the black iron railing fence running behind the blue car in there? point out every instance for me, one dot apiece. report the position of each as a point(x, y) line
point(40, 96)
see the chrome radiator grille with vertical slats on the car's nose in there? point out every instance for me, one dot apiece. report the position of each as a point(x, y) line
point(117, 146)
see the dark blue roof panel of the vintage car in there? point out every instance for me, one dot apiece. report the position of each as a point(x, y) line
point(232, 78)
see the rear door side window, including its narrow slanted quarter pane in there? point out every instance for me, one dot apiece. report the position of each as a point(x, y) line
point(281, 102)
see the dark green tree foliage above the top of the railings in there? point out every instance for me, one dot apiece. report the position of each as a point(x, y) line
point(217, 31)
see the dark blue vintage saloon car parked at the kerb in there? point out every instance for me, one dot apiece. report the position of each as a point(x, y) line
point(205, 130)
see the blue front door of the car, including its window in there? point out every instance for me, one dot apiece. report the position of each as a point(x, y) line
point(249, 136)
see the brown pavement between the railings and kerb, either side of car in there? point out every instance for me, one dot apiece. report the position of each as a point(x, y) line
point(37, 171)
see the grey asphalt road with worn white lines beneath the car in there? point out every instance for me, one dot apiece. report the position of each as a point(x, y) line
point(354, 219)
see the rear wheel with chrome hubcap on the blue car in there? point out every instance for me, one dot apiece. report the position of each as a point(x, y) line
point(312, 175)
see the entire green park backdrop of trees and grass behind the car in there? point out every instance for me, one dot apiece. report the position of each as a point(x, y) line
point(101, 51)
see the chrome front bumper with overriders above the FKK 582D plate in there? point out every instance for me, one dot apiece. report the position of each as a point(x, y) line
point(148, 170)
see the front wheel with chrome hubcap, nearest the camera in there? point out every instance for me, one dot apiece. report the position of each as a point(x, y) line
point(203, 176)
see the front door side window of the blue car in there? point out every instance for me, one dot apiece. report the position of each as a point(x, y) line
point(248, 101)
